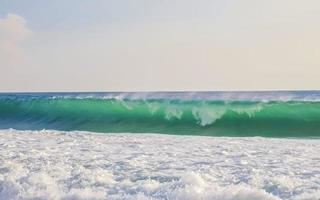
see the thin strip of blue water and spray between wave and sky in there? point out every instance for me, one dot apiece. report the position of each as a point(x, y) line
point(264, 96)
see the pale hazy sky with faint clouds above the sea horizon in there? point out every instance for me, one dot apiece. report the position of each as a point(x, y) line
point(167, 45)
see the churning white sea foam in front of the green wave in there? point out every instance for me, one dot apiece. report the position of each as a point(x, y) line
point(82, 165)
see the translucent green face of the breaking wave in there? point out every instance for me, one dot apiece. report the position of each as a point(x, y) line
point(168, 116)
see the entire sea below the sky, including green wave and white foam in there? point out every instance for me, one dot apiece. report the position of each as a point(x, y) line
point(163, 145)
